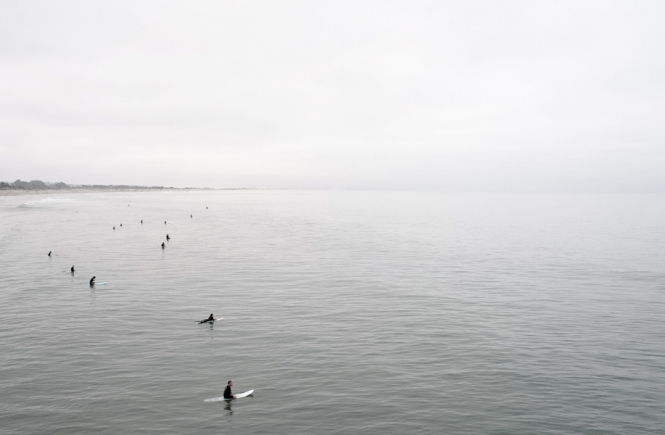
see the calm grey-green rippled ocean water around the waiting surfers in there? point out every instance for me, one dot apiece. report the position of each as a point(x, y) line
point(348, 313)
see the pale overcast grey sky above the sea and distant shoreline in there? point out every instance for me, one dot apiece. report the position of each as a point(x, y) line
point(490, 95)
